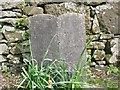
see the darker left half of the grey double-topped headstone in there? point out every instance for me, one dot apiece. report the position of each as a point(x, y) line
point(42, 29)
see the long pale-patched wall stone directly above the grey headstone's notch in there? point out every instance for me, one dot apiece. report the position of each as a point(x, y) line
point(58, 9)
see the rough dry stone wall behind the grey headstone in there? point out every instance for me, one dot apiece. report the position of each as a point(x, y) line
point(101, 24)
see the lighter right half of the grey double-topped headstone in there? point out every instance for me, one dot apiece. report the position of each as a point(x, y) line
point(72, 37)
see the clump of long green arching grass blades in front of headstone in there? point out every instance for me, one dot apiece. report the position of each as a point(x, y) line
point(54, 75)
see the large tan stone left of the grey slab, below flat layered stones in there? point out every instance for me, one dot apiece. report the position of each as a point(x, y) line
point(13, 36)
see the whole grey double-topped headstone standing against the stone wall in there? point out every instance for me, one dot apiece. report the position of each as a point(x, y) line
point(69, 41)
